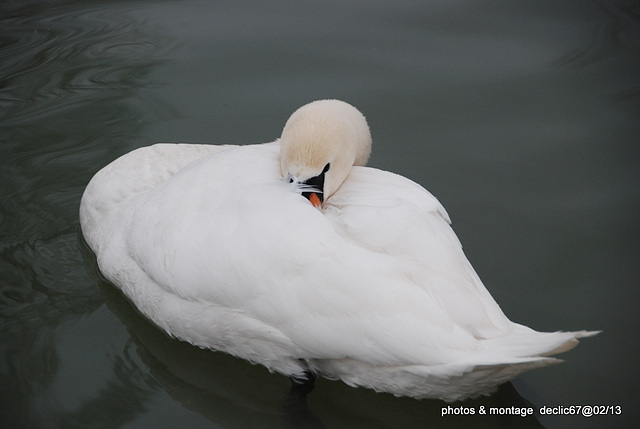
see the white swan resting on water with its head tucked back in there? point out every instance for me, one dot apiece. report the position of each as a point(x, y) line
point(296, 256)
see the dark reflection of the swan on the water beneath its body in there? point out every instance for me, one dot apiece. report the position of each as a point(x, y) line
point(233, 393)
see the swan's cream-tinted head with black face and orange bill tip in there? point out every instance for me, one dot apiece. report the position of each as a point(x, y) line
point(320, 143)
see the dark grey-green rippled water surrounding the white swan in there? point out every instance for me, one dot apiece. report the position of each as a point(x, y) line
point(522, 117)
